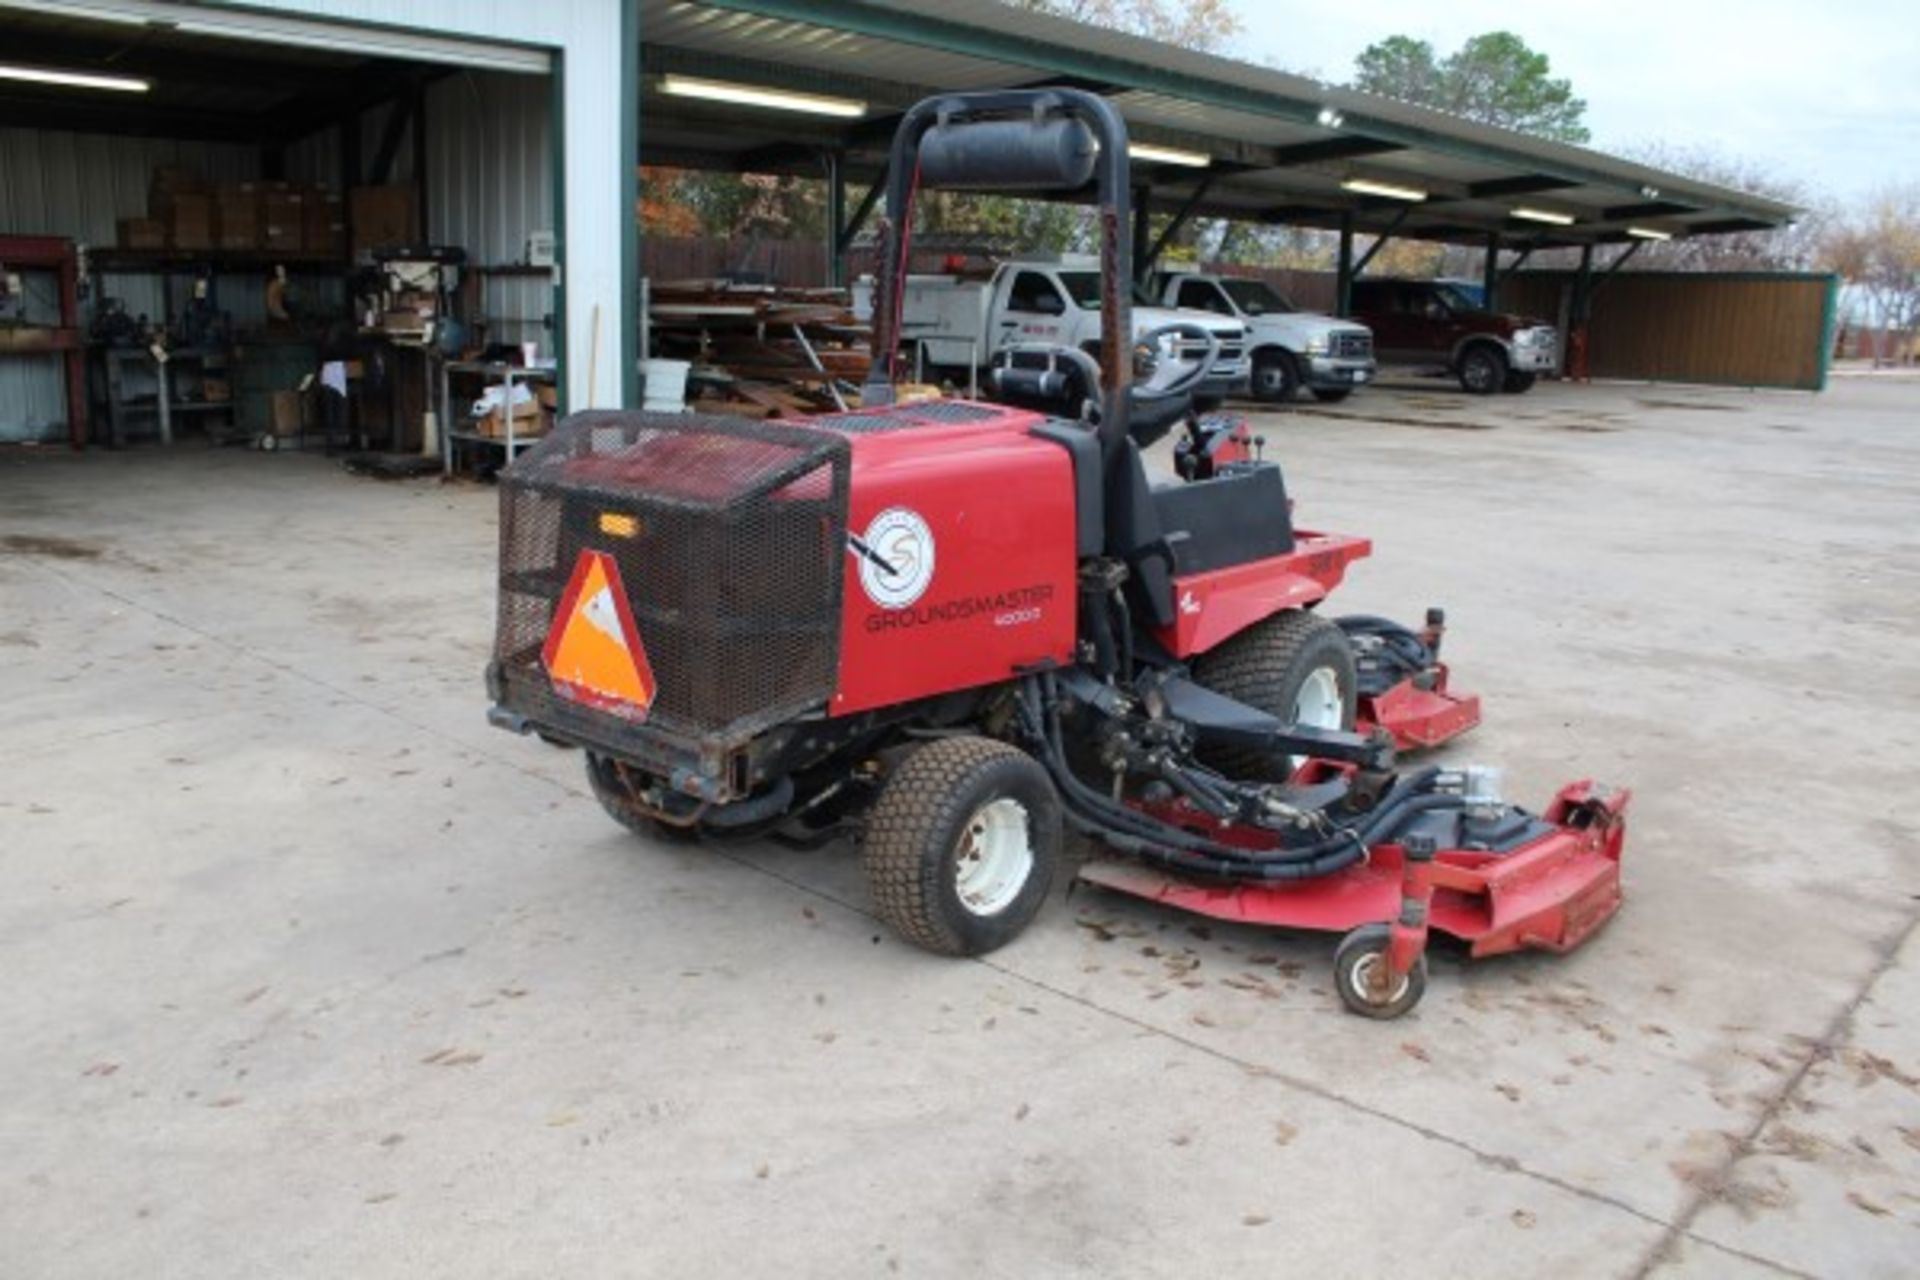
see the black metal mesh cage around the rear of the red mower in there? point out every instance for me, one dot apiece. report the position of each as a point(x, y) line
point(731, 542)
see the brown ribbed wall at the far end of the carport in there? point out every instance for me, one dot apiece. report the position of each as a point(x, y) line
point(1677, 327)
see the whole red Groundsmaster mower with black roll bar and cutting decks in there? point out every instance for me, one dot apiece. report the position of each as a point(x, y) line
point(949, 630)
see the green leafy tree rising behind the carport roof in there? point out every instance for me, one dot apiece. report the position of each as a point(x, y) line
point(1493, 78)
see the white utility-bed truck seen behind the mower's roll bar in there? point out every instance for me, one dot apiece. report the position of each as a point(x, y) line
point(963, 323)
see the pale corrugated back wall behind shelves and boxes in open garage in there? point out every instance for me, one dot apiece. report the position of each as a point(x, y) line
point(78, 187)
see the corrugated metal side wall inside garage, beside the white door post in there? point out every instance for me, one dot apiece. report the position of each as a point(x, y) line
point(491, 183)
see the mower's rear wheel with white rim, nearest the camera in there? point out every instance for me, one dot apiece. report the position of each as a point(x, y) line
point(961, 845)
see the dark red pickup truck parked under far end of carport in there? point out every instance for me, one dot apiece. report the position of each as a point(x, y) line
point(1435, 325)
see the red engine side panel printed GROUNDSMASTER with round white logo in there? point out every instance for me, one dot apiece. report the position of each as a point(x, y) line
point(992, 508)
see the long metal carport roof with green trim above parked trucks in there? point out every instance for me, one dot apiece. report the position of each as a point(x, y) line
point(1282, 145)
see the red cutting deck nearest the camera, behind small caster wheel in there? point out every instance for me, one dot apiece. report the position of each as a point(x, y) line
point(1550, 895)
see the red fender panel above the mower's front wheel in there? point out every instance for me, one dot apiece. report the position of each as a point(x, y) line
point(1212, 607)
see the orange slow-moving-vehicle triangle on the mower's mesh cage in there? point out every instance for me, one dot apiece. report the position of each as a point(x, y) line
point(594, 652)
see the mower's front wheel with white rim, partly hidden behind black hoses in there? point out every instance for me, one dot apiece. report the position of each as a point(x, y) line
point(1295, 667)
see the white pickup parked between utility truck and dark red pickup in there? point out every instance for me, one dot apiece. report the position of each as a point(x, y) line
point(1289, 348)
